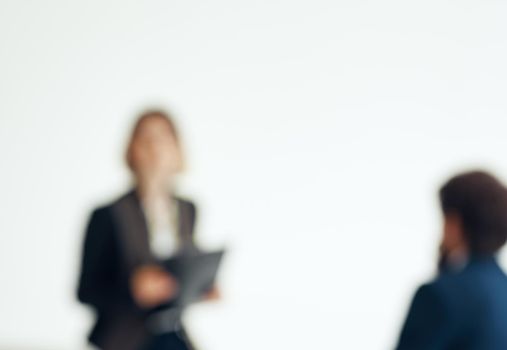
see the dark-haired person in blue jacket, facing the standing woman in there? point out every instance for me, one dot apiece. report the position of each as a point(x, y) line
point(465, 307)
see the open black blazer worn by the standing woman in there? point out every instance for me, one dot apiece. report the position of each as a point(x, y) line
point(116, 242)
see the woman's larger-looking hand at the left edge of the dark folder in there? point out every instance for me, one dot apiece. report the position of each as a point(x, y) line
point(151, 286)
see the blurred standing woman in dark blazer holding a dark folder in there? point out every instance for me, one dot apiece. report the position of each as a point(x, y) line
point(121, 276)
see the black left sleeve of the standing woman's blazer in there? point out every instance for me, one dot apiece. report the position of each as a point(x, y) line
point(97, 284)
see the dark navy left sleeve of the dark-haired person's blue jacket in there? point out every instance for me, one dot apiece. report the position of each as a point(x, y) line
point(429, 322)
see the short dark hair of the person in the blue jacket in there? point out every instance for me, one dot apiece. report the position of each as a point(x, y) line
point(480, 200)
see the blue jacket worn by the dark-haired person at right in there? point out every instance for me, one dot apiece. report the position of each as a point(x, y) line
point(459, 310)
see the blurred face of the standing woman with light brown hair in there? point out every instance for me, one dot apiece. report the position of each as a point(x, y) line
point(154, 151)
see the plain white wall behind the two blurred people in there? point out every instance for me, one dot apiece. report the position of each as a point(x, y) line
point(317, 134)
